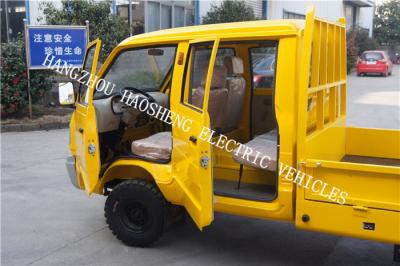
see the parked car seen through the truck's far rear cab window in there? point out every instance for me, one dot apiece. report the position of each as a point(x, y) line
point(263, 70)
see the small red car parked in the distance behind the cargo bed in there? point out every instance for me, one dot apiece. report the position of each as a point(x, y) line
point(374, 62)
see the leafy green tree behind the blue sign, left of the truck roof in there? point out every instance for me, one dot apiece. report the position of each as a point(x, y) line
point(102, 24)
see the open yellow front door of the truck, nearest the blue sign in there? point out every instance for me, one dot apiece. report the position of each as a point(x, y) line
point(86, 138)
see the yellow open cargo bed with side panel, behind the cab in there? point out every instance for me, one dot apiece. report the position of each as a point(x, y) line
point(367, 167)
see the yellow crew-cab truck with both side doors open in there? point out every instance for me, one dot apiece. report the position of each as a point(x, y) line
point(276, 85)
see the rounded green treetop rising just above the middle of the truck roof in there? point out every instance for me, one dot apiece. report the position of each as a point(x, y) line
point(229, 11)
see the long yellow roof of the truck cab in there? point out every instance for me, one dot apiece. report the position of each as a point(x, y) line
point(222, 30)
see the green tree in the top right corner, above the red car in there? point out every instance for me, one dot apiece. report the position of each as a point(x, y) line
point(387, 23)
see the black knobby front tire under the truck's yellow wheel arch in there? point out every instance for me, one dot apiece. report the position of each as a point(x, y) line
point(135, 212)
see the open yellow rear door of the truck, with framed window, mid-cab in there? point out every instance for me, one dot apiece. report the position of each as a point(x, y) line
point(191, 155)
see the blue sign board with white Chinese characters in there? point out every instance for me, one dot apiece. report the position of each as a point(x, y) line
point(67, 43)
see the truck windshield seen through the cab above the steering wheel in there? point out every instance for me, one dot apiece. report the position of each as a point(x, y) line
point(143, 69)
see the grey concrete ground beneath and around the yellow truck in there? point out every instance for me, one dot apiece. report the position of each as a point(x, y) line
point(45, 221)
